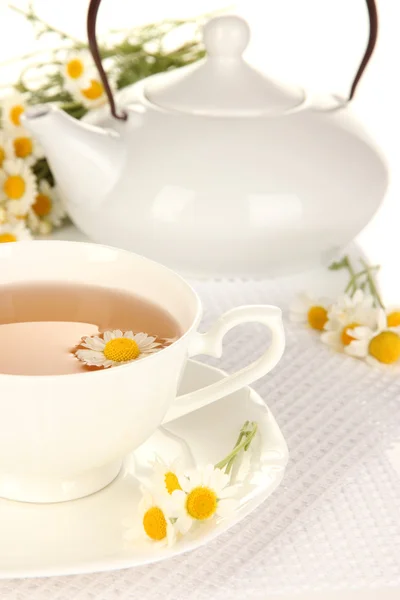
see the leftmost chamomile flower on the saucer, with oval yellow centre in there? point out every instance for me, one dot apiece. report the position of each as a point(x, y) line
point(153, 521)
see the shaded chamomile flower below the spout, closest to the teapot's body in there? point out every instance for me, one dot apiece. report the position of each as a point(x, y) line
point(47, 210)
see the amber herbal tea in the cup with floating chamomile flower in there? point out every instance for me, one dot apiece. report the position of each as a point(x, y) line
point(55, 329)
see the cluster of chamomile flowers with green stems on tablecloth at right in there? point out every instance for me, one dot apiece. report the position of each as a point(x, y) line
point(357, 323)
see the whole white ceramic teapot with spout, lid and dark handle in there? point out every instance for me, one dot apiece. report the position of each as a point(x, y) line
point(216, 170)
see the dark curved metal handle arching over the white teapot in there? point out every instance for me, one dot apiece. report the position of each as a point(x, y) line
point(94, 49)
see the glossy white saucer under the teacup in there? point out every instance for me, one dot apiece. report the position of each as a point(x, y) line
point(86, 535)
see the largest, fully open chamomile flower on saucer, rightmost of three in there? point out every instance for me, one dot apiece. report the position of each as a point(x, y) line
point(205, 493)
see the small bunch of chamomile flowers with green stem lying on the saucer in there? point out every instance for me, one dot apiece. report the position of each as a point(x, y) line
point(180, 500)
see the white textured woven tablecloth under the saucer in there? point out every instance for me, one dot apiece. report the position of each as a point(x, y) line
point(335, 521)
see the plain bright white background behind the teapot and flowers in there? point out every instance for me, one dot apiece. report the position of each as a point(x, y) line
point(314, 43)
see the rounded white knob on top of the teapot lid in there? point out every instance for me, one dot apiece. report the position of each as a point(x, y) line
point(226, 36)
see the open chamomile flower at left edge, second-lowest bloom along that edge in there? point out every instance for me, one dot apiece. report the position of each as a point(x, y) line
point(17, 187)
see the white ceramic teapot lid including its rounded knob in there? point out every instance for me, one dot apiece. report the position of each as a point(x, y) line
point(222, 84)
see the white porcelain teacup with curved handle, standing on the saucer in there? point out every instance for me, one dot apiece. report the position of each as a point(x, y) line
point(65, 436)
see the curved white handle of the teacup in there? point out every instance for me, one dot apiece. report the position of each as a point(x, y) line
point(211, 343)
